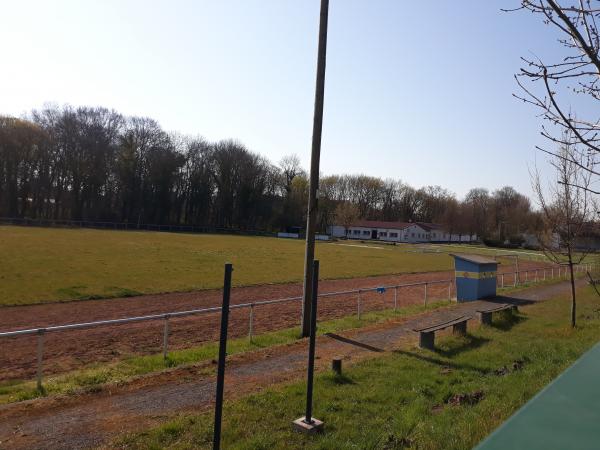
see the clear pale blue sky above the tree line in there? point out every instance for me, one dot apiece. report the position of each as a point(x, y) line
point(419, 91)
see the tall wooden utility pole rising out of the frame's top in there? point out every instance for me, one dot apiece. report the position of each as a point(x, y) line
point(311, 221)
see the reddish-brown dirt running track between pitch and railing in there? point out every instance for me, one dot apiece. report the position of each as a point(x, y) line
point(68, 350)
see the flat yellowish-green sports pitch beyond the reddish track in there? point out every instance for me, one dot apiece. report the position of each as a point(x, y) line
point(49, 264)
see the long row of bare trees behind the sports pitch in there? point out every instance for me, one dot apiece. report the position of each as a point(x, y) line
point(93, 163)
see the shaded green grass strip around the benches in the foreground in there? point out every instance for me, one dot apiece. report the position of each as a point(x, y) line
point(407, 398)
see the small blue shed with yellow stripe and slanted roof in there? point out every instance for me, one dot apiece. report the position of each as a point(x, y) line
point(475, 277)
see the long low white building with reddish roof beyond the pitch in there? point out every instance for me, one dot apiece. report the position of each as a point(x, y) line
point(409, 232)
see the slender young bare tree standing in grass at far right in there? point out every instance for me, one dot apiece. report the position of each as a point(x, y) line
point(566, 207)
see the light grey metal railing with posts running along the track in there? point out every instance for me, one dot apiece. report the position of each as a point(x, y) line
point(40, 332)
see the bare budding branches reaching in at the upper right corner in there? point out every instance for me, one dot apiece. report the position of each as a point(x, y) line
point(572, 79)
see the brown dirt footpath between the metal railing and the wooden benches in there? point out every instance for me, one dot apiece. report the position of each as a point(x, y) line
point(91, 420)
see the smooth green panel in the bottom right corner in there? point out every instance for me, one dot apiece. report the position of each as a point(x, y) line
point(564, 415)
